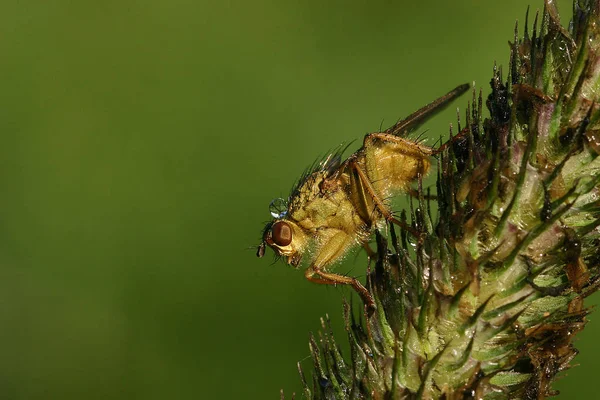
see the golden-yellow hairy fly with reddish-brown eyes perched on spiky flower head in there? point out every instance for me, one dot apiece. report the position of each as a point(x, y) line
point(337, 205)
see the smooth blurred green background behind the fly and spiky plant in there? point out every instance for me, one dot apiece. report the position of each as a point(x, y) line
point(141, 145)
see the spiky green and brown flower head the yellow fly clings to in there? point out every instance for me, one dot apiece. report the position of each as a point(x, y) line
point(487, 305)
